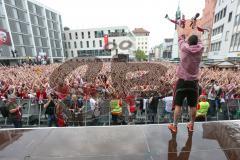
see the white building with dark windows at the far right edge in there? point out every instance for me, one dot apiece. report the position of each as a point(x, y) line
point(225, 43)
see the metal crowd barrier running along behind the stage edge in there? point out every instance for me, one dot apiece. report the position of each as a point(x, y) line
point(33, 114)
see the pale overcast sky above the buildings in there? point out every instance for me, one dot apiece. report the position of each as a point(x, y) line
point(149, 14)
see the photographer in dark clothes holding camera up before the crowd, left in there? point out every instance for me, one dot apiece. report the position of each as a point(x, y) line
point(50, 107)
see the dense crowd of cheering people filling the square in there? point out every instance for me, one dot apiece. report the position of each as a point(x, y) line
point(33, 82)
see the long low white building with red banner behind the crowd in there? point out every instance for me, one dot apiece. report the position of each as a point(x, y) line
point(92, 42)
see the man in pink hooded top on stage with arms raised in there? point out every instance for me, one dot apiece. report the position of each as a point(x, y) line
point(187, 84)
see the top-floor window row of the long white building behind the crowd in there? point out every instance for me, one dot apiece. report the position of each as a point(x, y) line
point(97, 34)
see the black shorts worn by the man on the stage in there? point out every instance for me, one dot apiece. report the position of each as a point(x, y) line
point(186, 89)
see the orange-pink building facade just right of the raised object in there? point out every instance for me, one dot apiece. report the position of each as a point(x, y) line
point(207, 22)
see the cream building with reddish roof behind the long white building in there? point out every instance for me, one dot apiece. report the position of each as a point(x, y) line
point(142, 39)
